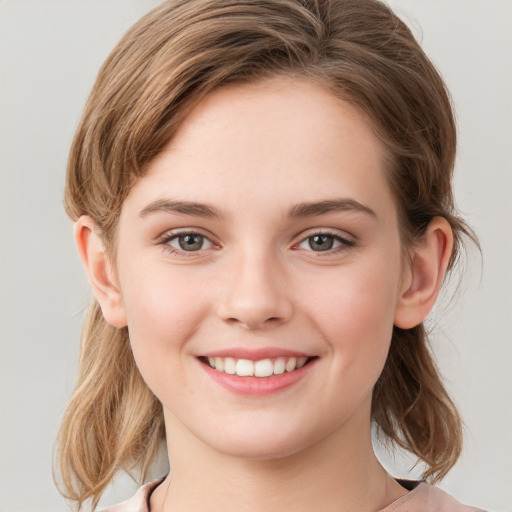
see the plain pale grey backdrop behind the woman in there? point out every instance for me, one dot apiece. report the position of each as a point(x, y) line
point(50, 52)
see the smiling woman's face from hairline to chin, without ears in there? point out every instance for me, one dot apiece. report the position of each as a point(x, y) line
point(263, 240)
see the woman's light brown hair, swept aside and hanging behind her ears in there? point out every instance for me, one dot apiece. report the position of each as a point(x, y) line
point(163, 66)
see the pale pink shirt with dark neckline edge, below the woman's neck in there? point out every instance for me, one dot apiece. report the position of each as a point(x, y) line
point(421, 498)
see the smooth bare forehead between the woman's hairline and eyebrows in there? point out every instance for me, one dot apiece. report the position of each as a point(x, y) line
point(279, 141)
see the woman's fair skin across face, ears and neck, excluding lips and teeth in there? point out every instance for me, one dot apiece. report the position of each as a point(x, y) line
point(255, 153)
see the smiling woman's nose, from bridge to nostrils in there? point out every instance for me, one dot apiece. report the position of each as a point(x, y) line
point(255, 294)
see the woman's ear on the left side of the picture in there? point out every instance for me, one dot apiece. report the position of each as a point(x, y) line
point(100, 271)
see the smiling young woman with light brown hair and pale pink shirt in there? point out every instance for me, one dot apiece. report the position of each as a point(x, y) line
point(263, 204)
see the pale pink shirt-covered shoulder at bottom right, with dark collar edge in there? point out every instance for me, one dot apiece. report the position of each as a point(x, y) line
point(427, 498)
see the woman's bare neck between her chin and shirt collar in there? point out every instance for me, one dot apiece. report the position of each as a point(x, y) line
point(339, 472)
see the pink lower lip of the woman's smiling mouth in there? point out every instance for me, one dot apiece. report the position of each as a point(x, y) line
point(258, 386)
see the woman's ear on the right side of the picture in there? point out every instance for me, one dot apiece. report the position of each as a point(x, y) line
point(424, 274)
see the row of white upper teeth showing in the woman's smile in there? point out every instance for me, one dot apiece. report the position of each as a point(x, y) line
point(262, 368)
